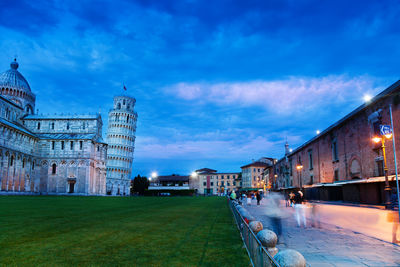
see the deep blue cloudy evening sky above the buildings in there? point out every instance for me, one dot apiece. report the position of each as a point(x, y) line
point(217, 83)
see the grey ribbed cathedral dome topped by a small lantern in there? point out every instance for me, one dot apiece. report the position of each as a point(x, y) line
point(13, 79)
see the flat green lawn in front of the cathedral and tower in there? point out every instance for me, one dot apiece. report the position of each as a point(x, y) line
point(112, 231)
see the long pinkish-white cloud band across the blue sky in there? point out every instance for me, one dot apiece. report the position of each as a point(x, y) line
point(280, 96)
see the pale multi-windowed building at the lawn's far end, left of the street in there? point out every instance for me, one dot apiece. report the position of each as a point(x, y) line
point(210, 182)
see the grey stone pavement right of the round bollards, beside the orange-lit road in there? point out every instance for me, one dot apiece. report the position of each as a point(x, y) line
point(330, 245)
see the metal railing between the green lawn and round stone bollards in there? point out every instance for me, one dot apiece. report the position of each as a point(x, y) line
point(258, 255)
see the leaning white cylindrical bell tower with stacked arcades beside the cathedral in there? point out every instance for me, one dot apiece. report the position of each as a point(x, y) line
point(121, 144)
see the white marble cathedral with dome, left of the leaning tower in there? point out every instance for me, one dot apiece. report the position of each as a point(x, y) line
point(50, 154)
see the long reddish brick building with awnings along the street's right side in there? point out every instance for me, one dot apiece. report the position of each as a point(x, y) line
point(342, 162)
